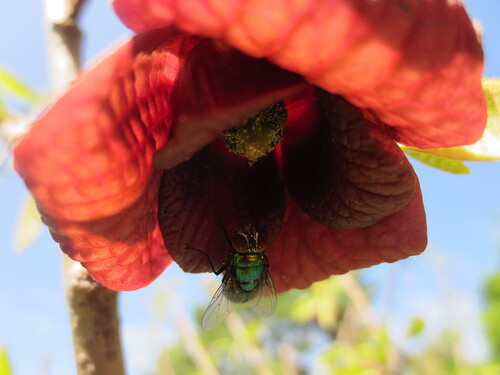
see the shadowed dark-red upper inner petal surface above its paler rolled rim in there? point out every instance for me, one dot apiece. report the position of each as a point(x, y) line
point(216, 77)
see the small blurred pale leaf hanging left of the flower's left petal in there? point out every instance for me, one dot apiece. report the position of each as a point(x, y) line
point(29, 226)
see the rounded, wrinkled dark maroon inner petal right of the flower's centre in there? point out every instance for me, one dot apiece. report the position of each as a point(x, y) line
point(343, 170)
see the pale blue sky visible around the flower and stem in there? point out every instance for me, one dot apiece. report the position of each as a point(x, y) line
point(443, 285)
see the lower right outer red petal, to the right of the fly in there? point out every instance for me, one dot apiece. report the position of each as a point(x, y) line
point(307, 251)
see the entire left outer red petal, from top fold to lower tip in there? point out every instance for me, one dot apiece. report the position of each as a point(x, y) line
point(88, 161)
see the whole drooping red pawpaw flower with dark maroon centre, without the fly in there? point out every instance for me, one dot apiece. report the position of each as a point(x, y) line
point(284, 114)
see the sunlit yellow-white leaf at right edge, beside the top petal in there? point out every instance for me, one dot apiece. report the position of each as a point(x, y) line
point(488, 147)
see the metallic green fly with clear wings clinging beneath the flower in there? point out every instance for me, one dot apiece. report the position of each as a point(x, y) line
point(246, 279)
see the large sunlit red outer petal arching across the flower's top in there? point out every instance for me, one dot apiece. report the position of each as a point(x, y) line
point(416, 64)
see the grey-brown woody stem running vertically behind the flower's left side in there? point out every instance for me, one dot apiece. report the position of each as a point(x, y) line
point(92, 307)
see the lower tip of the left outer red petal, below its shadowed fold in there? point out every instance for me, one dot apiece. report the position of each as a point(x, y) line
point(124, 251)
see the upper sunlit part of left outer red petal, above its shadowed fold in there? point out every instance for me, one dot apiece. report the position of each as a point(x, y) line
point(90, 154)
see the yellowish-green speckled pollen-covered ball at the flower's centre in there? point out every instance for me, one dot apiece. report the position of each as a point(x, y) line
point(258, 135)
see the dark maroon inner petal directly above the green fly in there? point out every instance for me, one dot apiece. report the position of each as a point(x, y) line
point(217, 188)
